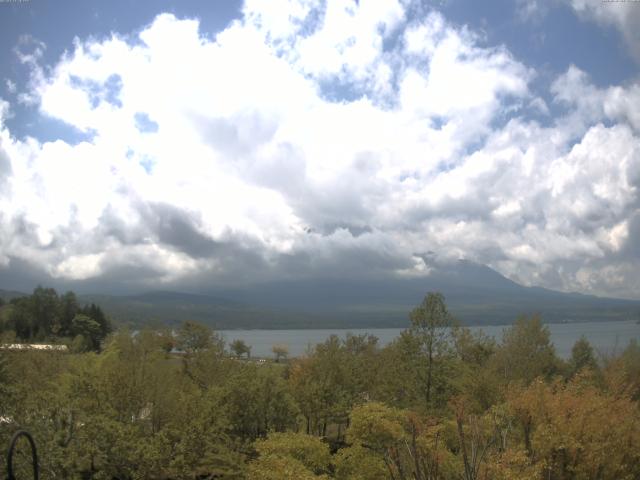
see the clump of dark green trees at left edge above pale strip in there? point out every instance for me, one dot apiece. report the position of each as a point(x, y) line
point(46, 316)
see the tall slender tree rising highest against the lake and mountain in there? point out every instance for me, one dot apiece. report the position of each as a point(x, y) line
point(431, 324)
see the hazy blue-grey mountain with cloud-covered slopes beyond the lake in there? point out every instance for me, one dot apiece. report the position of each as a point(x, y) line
point(475, 294)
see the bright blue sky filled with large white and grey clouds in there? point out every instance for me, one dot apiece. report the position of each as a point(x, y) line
point(194, 145)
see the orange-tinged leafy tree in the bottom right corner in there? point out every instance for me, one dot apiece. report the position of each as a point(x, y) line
point(578, 431)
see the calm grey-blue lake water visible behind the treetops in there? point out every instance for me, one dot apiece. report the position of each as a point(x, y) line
point(603, 336)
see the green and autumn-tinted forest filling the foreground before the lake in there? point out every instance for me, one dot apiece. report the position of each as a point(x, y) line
point(437, 403)
